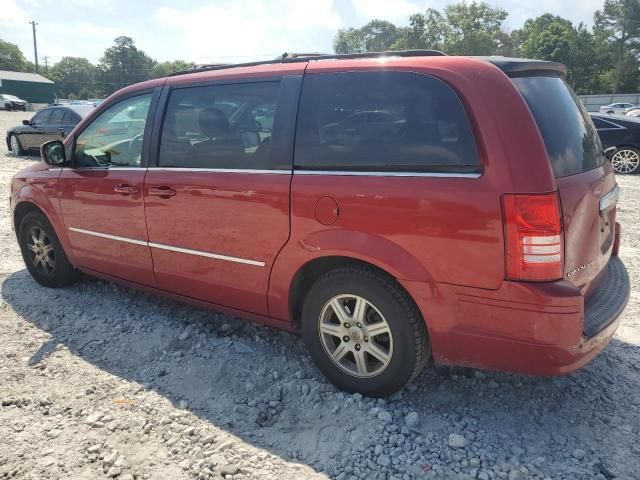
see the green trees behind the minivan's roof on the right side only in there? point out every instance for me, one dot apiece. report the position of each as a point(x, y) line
point(601, 59)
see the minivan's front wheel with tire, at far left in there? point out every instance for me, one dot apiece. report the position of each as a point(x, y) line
point(42, 252)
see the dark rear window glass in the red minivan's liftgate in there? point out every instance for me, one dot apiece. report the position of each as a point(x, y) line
point(571, 140)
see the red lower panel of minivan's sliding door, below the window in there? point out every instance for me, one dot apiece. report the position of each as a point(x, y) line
point(218, 236)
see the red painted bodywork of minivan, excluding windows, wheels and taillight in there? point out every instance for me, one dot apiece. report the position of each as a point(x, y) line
point(441, 238)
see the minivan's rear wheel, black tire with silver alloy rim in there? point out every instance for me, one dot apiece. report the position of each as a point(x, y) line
point(364, 332)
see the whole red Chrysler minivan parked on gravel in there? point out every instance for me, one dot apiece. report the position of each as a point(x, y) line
point(397, 209)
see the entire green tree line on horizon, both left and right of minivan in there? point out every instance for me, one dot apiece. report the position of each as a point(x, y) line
point(602, 59)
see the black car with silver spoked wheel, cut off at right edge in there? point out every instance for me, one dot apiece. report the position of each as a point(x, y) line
point(622, 132)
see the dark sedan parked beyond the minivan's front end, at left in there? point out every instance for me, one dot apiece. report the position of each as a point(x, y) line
point(51, 123)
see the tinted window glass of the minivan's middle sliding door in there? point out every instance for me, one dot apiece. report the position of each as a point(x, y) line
point(220, 126)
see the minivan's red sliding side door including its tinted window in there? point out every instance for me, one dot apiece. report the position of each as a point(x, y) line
point(217, 205)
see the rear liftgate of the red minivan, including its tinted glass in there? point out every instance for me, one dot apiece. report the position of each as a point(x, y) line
point(585, 180)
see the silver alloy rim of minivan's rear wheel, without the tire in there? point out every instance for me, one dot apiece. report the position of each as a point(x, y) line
point(355, 335)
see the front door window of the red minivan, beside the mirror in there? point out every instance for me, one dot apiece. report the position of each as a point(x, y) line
point(114, 138)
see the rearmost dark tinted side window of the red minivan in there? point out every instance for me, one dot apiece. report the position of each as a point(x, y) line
point(383, 121)
